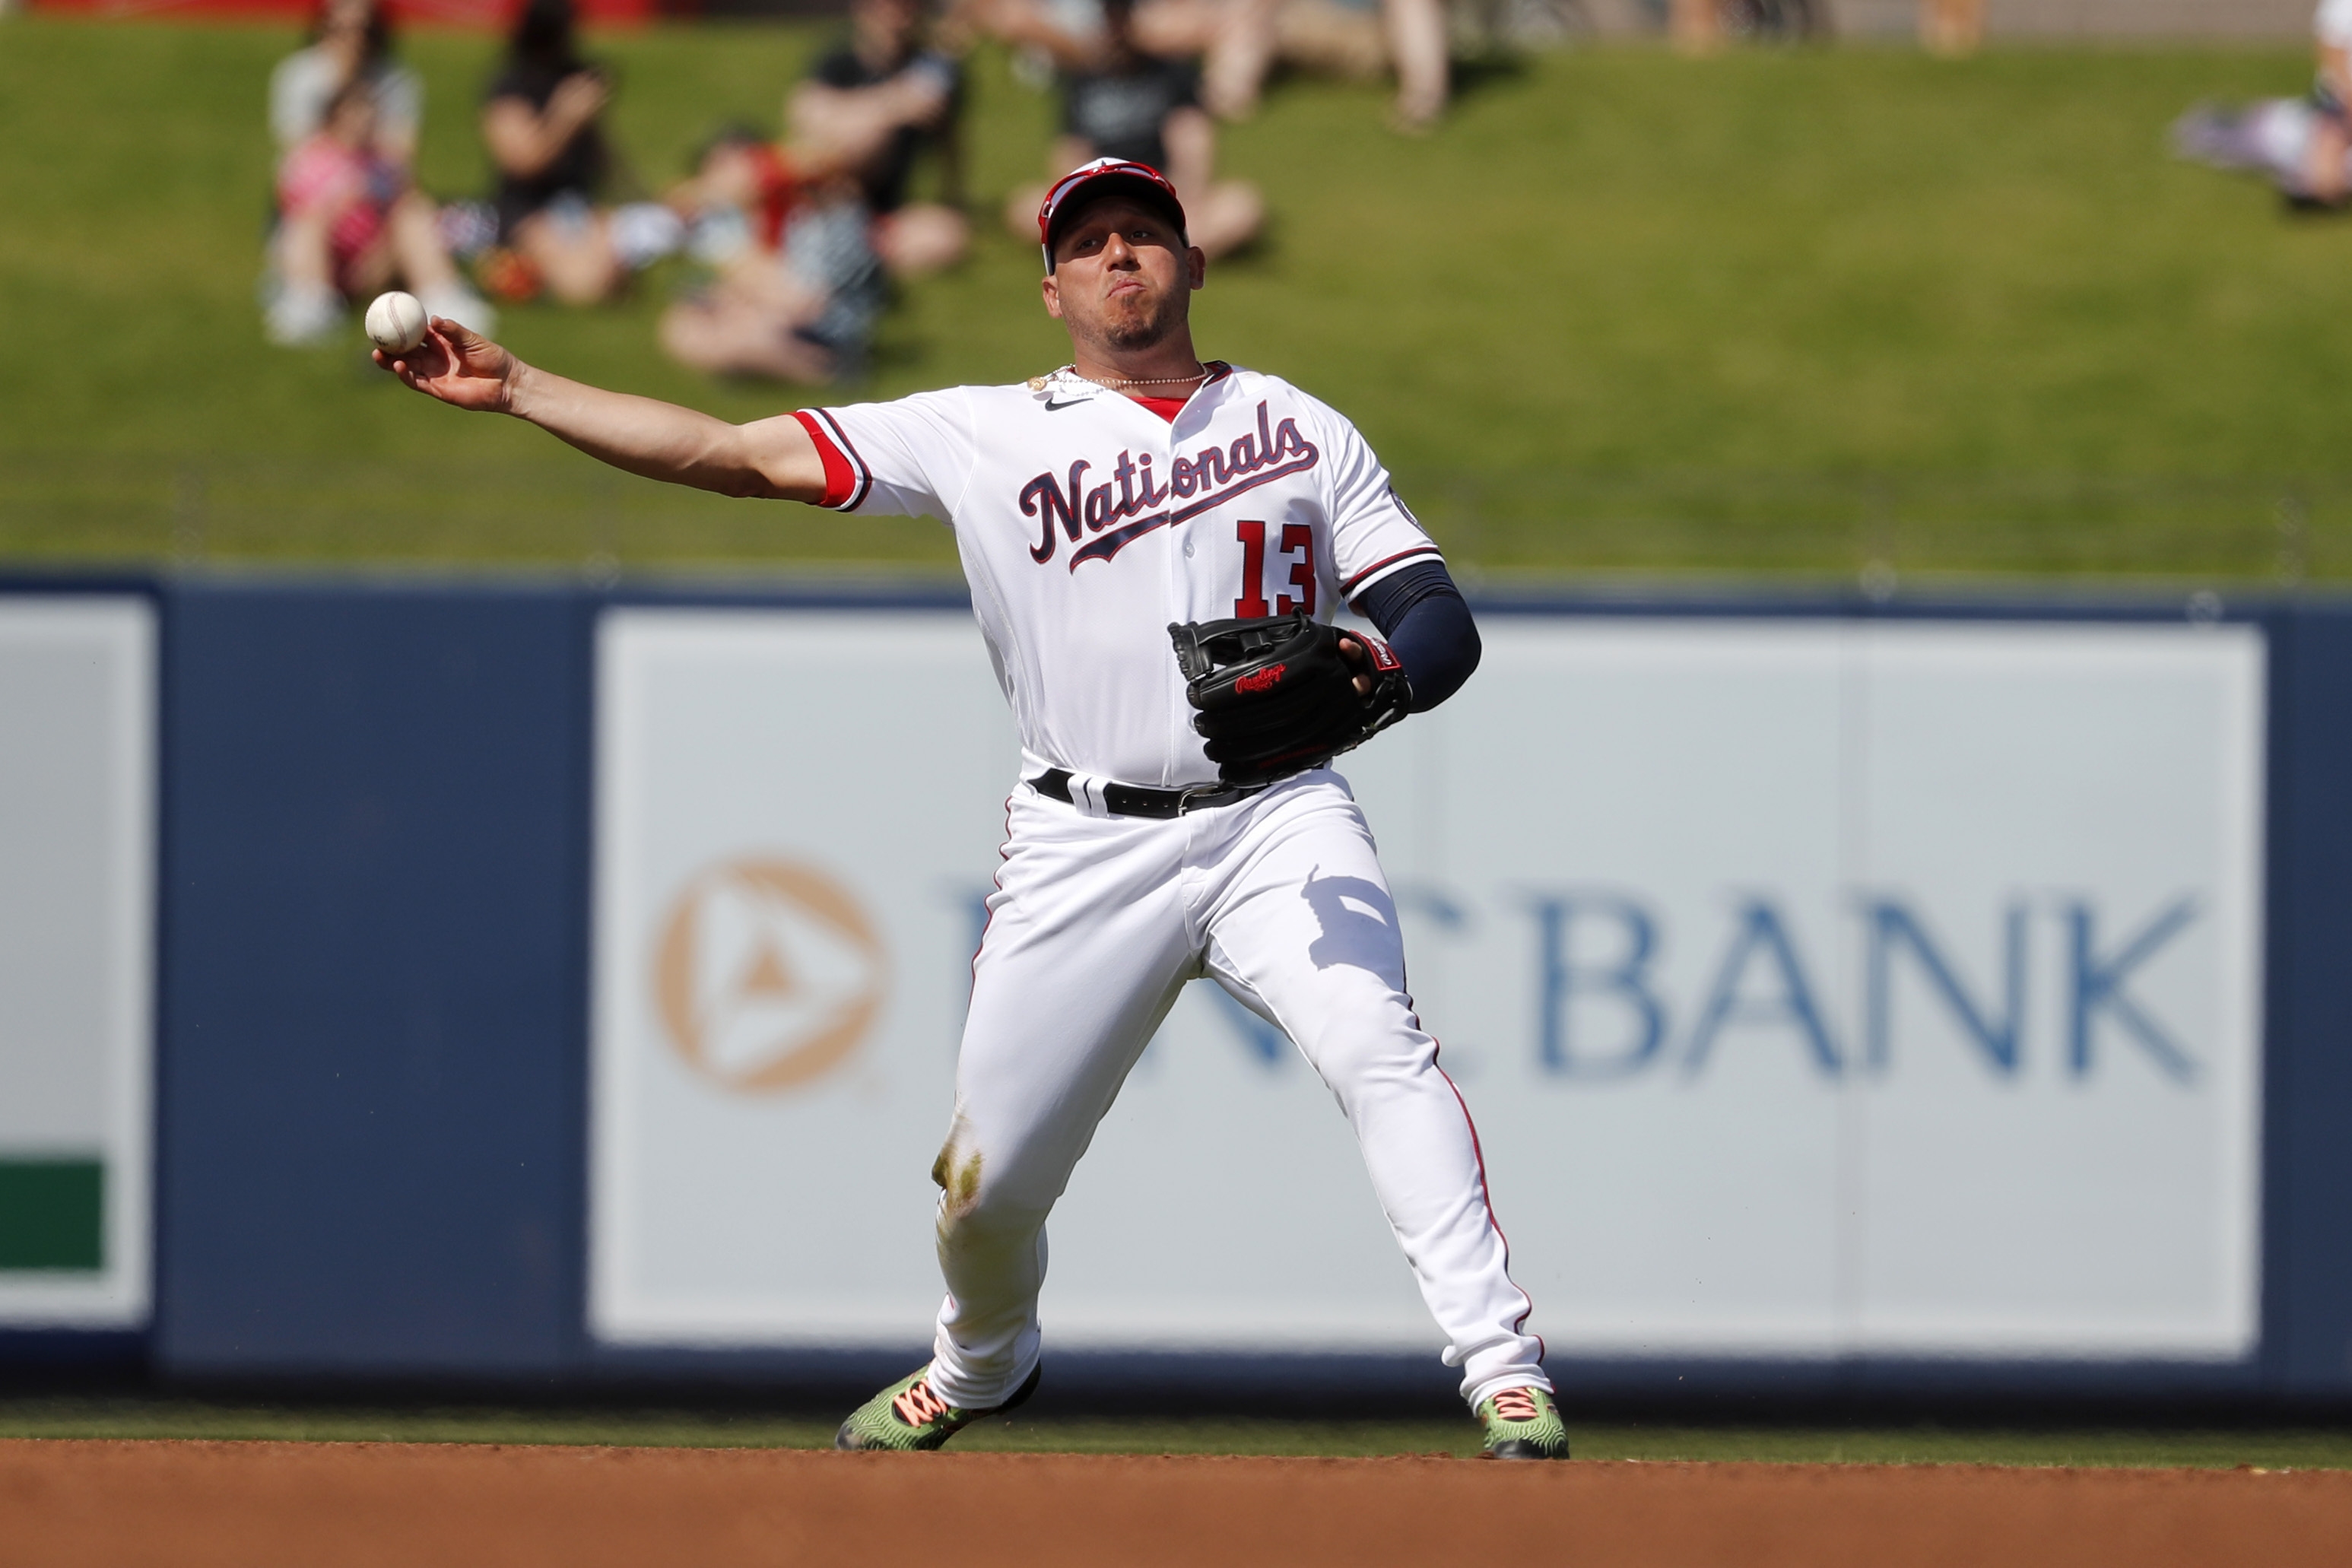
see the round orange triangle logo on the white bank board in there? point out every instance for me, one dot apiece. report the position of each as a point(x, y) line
point(768, 974)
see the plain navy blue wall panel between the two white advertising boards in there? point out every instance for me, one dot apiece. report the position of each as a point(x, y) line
point(373, 1000)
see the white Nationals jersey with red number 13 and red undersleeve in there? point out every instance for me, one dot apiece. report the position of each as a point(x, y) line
point(1088, 523)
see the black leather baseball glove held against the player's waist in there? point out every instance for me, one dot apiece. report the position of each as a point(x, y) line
point(1278, 697)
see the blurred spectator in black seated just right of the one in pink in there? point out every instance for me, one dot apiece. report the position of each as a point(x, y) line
point(547, 145)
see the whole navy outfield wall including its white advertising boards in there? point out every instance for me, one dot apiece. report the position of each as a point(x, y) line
point(563, 984)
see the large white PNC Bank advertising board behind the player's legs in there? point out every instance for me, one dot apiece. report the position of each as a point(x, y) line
point(1819, 989)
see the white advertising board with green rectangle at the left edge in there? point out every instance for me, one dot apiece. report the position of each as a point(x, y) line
point(76, 958)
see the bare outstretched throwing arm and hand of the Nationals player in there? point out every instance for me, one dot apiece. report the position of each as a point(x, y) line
point(660, 441)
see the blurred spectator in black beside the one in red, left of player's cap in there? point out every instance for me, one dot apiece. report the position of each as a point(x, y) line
point(871, 107)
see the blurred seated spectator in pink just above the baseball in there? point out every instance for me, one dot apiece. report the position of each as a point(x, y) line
point(349, 227)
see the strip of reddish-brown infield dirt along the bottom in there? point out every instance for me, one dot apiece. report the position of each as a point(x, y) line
point(330, 1506)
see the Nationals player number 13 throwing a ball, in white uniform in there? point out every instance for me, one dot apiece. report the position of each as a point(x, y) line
point(1175, 817)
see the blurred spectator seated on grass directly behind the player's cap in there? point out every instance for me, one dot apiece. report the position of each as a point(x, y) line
point(1121, 100)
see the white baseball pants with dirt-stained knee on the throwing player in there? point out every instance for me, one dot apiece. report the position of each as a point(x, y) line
point(1095, 927)
